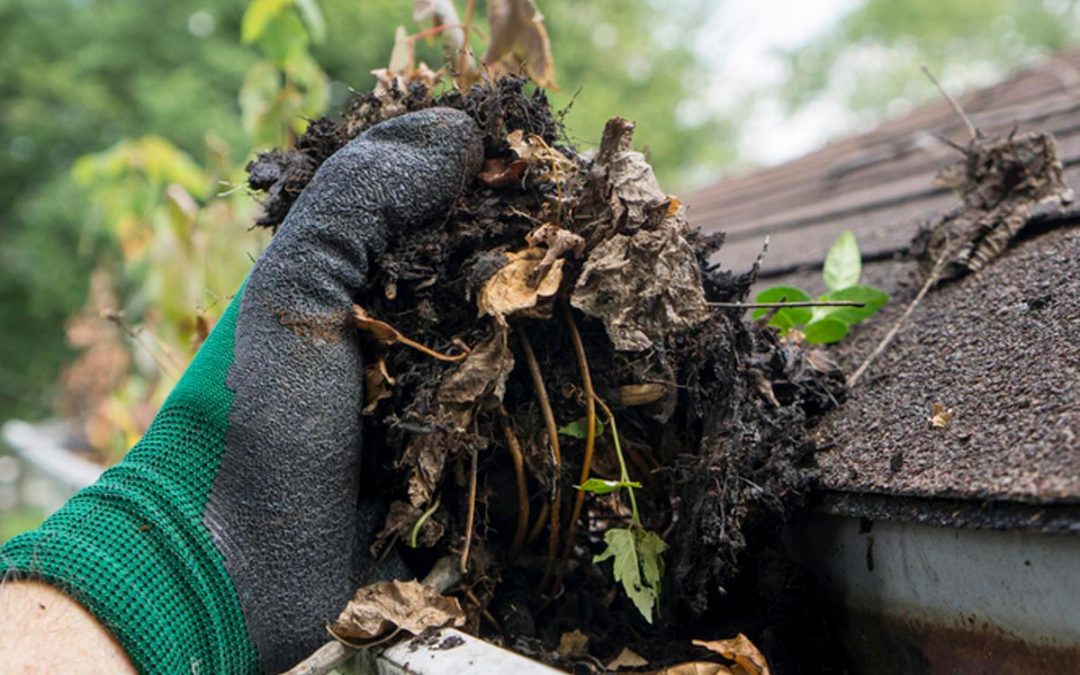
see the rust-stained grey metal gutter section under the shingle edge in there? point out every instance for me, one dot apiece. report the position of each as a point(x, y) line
point(914, 598)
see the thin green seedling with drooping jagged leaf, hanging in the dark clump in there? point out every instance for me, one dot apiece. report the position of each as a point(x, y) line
point(637, 553)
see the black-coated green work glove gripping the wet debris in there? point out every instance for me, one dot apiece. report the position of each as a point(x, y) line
point(228, 536)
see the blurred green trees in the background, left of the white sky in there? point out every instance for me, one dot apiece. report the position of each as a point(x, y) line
point(80, 76)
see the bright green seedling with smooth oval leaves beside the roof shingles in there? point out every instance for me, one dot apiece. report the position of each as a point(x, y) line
point(821, 326)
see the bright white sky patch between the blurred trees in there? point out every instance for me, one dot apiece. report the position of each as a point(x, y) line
point(745, 40)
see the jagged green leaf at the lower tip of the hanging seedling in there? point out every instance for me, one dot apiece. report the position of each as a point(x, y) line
point(638, 565)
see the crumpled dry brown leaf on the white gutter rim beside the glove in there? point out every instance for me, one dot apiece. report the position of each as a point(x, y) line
point(385, 606)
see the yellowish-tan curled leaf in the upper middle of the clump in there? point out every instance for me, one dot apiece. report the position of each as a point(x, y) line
point(516, 290)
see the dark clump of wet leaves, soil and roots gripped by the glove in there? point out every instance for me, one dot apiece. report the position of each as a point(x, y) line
point(553, 399)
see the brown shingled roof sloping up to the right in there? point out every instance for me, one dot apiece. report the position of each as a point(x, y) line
point(1000, 349)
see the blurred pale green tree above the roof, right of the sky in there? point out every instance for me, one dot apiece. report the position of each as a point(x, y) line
point(870, 61)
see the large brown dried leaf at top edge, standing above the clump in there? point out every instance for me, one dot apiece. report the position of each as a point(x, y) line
point(520, 40)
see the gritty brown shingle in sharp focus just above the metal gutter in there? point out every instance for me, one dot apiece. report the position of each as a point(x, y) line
point(1000, 350)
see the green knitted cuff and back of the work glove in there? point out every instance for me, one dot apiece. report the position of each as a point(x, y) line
point(133, 548)
